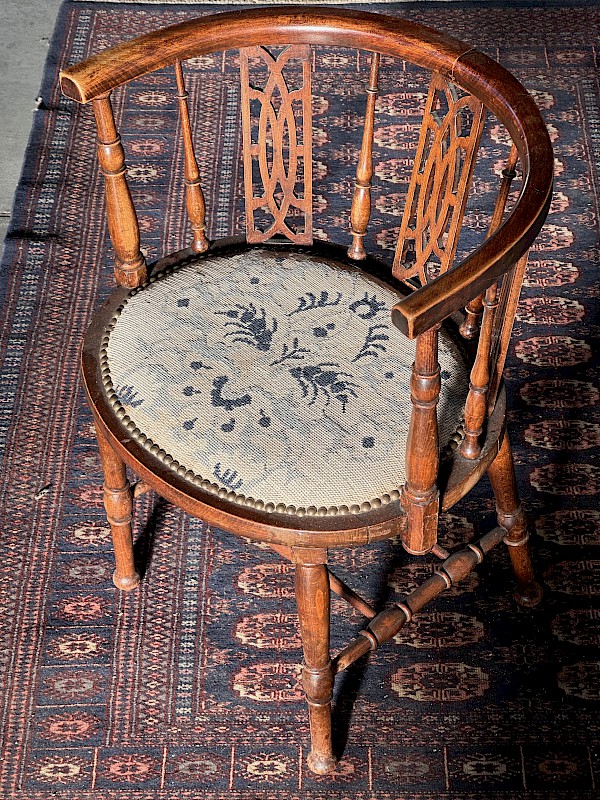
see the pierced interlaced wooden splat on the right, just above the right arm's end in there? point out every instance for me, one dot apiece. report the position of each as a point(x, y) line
point(438, 190)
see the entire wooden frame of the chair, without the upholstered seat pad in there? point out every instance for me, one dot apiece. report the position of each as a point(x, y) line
point(465, 85)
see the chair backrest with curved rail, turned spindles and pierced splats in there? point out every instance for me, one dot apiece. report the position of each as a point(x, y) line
point(276, 61)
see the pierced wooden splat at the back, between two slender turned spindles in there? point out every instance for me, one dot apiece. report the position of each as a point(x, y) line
point(277, 146)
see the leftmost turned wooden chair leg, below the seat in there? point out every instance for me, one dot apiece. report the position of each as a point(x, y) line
point(118, 505)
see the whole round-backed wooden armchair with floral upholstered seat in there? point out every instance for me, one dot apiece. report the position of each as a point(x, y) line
point(270, 385)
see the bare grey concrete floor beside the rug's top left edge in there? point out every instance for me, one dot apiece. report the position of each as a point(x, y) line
point(25, 33)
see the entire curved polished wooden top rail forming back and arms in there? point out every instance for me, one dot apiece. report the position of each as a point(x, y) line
point(475, 72)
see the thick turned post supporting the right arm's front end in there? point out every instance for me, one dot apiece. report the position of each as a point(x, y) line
point(420, 496)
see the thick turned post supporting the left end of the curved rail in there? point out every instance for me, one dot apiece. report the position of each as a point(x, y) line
point(130, 265)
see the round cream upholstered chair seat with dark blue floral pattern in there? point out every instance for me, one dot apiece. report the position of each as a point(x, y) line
point(277, 376)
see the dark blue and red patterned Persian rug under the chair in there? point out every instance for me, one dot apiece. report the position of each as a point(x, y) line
point(189, 687)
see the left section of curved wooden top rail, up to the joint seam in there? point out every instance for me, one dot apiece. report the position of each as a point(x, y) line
point(105, 71)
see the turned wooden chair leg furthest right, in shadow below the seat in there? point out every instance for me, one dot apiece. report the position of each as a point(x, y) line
point(512, 518)
